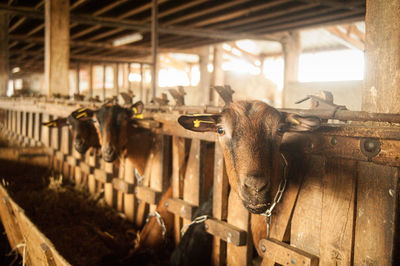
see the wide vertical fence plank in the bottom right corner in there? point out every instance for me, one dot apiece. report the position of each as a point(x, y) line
point(377, 207)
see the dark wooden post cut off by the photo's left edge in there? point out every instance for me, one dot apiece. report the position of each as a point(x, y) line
point(3, 53)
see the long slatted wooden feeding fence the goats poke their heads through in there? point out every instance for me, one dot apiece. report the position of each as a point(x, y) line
point(342, 211)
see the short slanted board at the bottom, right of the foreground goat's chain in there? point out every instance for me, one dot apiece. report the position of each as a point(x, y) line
point(285, 254)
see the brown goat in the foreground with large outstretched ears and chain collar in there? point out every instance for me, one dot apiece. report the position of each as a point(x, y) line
point(250, 134)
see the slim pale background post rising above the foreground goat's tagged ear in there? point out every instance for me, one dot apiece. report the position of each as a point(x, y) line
point(218, 74)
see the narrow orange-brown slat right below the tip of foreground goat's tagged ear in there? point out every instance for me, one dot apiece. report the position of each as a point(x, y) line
point(178, 171)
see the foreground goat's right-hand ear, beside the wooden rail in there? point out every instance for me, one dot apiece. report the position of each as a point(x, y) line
point(294, 122)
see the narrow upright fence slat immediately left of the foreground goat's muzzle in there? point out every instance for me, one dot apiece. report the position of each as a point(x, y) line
point(220, 203)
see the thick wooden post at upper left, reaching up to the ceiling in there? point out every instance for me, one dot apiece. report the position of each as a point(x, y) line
point(56, 46)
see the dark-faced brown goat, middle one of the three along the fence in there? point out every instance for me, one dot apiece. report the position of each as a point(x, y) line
point(118, 137)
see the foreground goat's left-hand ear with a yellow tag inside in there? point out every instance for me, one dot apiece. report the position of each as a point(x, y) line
point(199, 123)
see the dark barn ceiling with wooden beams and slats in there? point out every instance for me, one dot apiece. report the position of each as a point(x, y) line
point(94, 25)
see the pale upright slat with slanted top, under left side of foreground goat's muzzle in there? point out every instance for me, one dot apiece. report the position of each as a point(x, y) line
point(239, 217)
